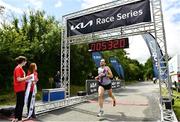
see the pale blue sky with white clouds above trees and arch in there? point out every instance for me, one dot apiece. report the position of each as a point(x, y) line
point(137, 50)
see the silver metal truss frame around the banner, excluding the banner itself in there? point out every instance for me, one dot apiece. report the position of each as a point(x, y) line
point(156, 26)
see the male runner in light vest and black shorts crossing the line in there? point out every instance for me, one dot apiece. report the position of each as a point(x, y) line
point(104, 75)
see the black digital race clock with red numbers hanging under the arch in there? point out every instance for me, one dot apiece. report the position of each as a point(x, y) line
point(109, 45)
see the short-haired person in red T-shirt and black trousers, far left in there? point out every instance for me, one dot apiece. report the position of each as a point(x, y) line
point(19, 86)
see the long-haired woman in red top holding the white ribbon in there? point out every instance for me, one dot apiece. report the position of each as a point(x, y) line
point(32, 70)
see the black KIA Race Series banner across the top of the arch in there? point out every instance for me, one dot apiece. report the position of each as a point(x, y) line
point(123, 15)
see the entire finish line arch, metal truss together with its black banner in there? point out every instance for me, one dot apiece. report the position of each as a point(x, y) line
point(106, 22)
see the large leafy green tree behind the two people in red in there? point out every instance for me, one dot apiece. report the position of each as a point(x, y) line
point(35, 36)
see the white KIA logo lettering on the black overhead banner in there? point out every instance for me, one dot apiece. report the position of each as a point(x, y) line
point(82, 25)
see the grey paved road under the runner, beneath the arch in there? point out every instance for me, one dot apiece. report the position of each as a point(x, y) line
point(137, 102)
